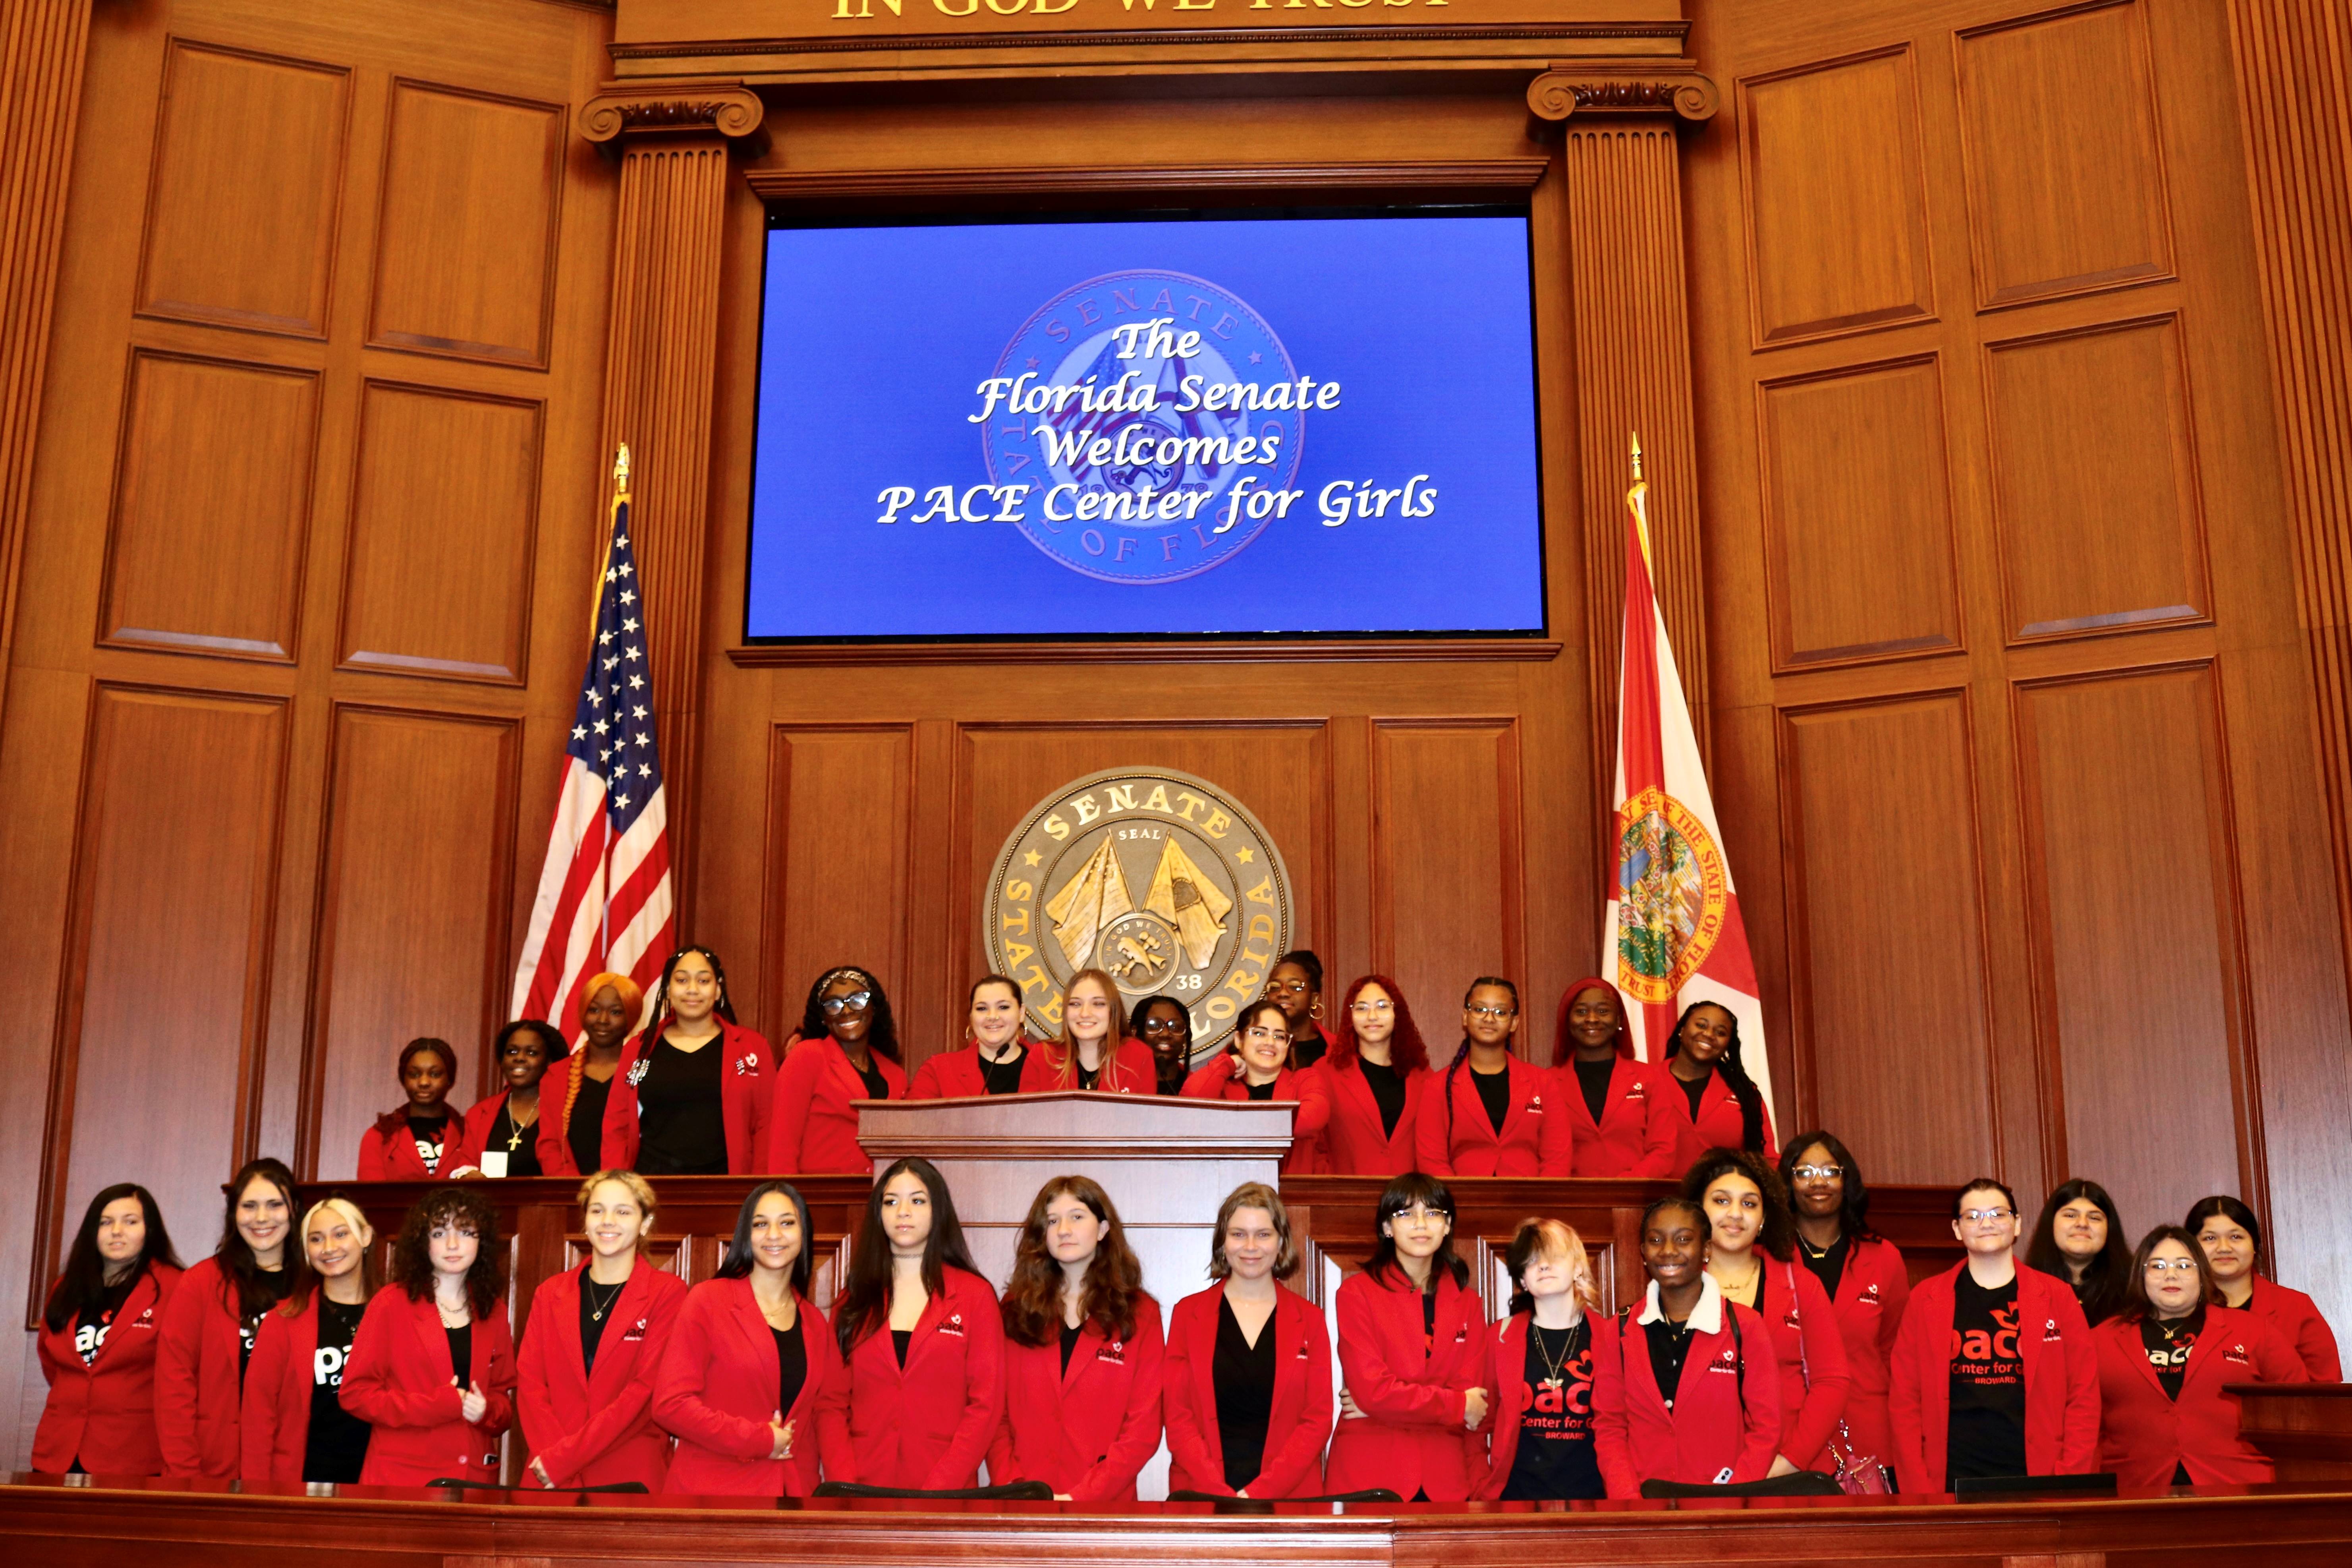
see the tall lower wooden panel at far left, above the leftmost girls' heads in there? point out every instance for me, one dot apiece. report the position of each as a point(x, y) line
point(168, 958)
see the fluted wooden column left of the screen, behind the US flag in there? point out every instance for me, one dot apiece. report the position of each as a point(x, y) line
point(676, 145)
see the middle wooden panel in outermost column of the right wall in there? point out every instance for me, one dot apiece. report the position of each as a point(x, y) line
point(2097, 490)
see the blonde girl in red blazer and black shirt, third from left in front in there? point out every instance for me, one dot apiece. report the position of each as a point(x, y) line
point(295, 1426)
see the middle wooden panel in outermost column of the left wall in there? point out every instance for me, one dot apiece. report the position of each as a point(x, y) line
point(213, 507)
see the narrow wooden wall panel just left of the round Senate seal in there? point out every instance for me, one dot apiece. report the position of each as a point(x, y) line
point(838, 866)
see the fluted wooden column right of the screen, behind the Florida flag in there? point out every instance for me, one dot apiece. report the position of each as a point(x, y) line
point(1633, 354)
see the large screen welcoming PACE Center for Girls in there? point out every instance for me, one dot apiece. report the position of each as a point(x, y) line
point(1175, 427)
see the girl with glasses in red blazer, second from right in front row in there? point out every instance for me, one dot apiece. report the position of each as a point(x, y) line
point(2163, 1369)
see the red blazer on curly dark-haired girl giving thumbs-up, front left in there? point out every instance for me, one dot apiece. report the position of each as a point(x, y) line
point(399, 1383)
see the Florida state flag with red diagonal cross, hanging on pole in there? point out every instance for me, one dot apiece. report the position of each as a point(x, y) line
point(1676, 934)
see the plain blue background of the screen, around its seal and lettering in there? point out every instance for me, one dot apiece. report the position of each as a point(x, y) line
point(876, 340)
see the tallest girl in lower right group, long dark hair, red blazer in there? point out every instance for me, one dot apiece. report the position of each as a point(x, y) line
point(1864, 1275)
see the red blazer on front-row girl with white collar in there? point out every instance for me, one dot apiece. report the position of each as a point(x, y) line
point(1725, 1423)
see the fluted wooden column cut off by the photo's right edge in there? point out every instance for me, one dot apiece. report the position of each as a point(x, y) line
point(2297, 107)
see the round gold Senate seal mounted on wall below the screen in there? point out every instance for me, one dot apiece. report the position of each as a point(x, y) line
point(1161, 880)
